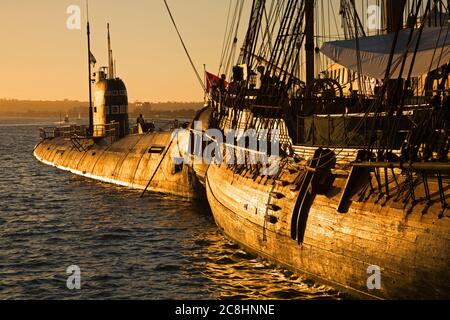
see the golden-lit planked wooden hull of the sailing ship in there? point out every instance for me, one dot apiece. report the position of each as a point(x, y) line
point(412, 249)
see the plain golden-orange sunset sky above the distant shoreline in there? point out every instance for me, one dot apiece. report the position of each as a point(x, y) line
point(41, 59)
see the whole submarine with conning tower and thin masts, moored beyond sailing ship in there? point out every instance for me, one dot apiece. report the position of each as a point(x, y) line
point(108, 150)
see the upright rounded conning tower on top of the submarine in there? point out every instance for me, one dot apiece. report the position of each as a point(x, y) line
point(110, 105)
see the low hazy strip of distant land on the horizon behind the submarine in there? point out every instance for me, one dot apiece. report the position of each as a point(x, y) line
point(12, 107)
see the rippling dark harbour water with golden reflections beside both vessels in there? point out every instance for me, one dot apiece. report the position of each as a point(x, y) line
point(153, 248)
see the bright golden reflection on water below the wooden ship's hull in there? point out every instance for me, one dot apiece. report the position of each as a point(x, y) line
point(239, 275)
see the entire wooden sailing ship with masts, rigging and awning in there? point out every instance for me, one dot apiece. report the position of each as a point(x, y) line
point(363, 179)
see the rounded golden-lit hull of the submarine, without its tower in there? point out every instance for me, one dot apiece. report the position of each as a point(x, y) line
point(141, 162)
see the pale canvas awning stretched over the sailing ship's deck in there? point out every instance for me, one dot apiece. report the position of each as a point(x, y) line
point(375, 51)
